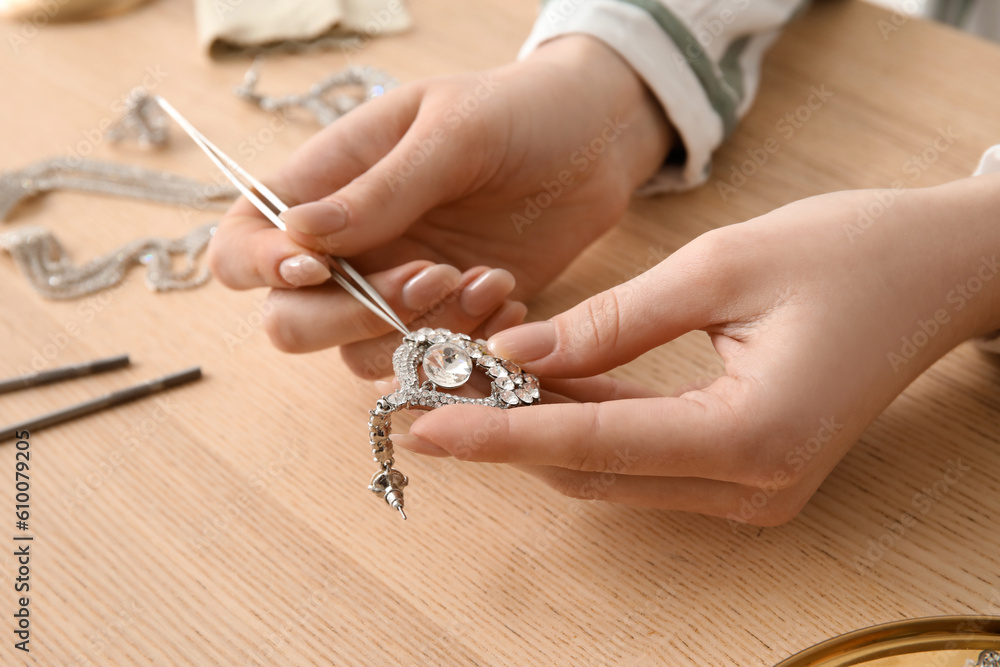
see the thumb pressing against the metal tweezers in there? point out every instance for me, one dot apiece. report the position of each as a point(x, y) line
point(381, 203)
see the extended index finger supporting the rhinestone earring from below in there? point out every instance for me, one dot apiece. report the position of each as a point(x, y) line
point(696, 435)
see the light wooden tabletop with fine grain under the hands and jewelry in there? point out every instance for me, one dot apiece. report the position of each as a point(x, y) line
point(229, 523)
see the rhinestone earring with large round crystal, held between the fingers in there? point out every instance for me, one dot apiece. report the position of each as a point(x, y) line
point(448, 360)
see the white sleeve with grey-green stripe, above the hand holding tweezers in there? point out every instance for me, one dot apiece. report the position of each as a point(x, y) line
point(701, 60)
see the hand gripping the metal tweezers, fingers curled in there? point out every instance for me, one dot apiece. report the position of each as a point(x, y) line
point(456, 196)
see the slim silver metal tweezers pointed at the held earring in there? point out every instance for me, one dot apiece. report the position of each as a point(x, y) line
point(271, 207)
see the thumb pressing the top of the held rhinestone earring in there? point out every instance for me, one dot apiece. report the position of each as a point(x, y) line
point(611, 328)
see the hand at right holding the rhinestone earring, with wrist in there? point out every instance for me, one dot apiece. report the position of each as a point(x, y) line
point(820, 323)
